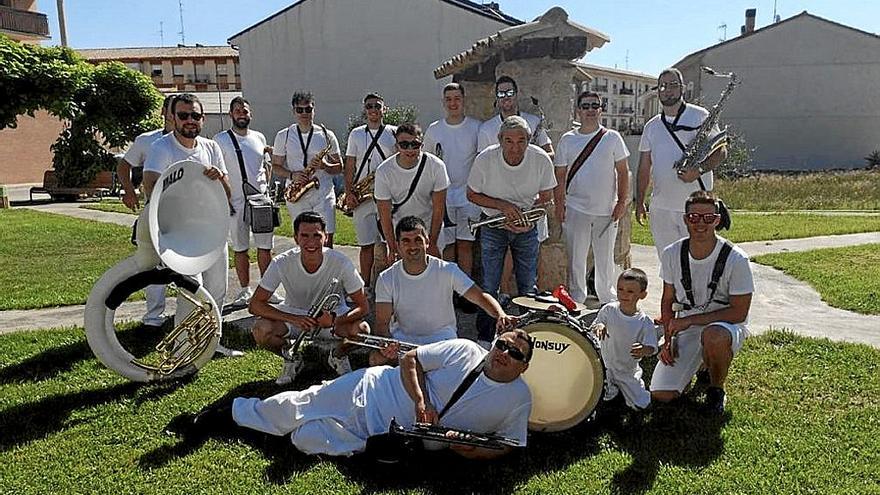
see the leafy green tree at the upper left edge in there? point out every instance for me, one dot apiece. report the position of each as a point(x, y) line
point(103, 106)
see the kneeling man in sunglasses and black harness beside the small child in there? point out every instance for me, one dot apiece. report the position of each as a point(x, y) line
point(704, 324)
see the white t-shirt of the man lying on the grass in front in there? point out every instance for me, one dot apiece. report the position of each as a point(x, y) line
point(487, 406)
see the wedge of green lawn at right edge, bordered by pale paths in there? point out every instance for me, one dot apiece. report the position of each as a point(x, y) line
point(846, 278)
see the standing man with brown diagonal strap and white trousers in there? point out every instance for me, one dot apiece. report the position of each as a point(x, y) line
point(593, 200)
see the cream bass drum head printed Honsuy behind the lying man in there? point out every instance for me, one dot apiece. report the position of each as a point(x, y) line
point(565, 376)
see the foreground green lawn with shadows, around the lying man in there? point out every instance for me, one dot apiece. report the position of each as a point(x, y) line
point(802, 418)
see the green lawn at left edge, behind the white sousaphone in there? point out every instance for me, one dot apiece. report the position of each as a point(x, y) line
point(54, 260)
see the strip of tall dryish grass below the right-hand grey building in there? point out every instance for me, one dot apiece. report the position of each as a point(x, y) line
point(853, 190)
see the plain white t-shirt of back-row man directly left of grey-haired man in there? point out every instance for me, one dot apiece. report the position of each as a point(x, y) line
point(456, 145)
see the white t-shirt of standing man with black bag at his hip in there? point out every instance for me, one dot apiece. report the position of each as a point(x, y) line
point(252, 147)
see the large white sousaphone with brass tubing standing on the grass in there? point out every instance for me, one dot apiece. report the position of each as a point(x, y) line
point(184, 228)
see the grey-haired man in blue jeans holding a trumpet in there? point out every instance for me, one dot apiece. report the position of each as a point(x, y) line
point(506, 179)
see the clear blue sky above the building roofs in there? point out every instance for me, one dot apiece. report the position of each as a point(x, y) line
point(646, 35)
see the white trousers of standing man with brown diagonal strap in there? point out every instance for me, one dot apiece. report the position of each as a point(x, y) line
point(581, 232)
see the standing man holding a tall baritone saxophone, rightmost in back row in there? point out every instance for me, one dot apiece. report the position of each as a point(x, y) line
point(658, 154)
